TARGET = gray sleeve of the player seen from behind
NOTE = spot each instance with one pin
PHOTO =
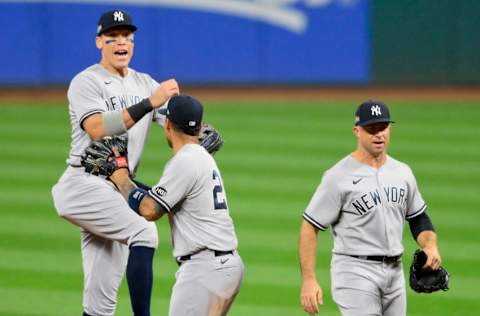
(176, 182)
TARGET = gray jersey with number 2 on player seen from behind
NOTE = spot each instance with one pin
(191, 190)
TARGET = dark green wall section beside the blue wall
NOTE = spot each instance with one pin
(426, 42)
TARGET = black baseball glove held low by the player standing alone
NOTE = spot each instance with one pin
(422, 281)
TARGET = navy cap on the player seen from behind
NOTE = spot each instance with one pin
(185, 112)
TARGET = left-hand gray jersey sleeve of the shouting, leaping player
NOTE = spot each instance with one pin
(85, 97)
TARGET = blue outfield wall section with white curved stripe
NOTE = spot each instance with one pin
(195, 41)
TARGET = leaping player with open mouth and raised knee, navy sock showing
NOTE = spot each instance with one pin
(109, 98)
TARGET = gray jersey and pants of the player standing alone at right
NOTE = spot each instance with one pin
(367, 209)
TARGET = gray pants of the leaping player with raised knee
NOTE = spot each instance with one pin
(108, 227)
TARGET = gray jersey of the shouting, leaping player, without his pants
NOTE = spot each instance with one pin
(95, 90)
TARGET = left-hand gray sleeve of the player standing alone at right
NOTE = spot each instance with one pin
(325, 205)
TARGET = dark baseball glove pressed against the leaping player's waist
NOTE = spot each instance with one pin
(100, 158)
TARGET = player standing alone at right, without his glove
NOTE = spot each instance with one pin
(366, 197)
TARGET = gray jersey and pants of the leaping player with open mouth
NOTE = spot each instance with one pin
(108, 225)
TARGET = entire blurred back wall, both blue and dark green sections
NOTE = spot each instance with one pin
(244, 42)
